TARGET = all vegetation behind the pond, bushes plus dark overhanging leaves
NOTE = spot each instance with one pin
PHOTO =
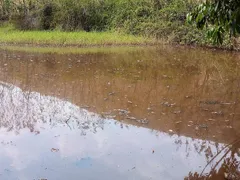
(215, 21)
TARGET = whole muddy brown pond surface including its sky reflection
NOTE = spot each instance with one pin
(152, 113)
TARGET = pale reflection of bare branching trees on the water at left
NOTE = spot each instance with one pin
(21, 110)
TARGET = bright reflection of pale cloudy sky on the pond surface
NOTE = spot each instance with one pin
(89, 147)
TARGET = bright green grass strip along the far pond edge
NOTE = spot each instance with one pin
(59, 38)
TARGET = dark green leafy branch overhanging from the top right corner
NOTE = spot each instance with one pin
(218, 17)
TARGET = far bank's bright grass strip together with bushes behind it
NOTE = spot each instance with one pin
(164, 20)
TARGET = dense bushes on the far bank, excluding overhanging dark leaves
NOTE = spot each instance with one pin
(161, 19)
